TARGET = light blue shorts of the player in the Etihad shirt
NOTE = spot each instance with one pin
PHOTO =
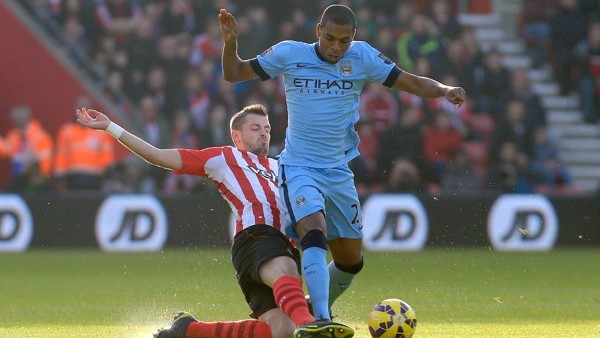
(308, 190)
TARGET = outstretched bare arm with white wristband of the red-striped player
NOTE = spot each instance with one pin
(165, 158)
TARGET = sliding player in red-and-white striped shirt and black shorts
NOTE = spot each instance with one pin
(266, 262)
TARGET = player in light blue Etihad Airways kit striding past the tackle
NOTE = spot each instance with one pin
(323, 82)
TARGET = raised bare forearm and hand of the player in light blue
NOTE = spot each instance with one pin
(234, 68)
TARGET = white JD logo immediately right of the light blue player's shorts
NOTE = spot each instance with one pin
(394, 222)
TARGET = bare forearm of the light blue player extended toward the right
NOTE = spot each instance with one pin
(429, 88)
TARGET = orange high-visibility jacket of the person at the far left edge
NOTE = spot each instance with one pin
(34, 139)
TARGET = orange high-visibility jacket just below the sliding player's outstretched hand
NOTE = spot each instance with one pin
(82, 150)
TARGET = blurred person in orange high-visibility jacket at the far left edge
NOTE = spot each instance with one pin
(27, 145)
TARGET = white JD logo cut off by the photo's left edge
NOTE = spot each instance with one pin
(16, 225)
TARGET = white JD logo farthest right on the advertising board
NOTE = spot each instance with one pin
(522, 223)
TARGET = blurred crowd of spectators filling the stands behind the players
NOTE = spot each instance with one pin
(158, 62)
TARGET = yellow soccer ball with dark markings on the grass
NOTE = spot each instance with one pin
(392, 318)
